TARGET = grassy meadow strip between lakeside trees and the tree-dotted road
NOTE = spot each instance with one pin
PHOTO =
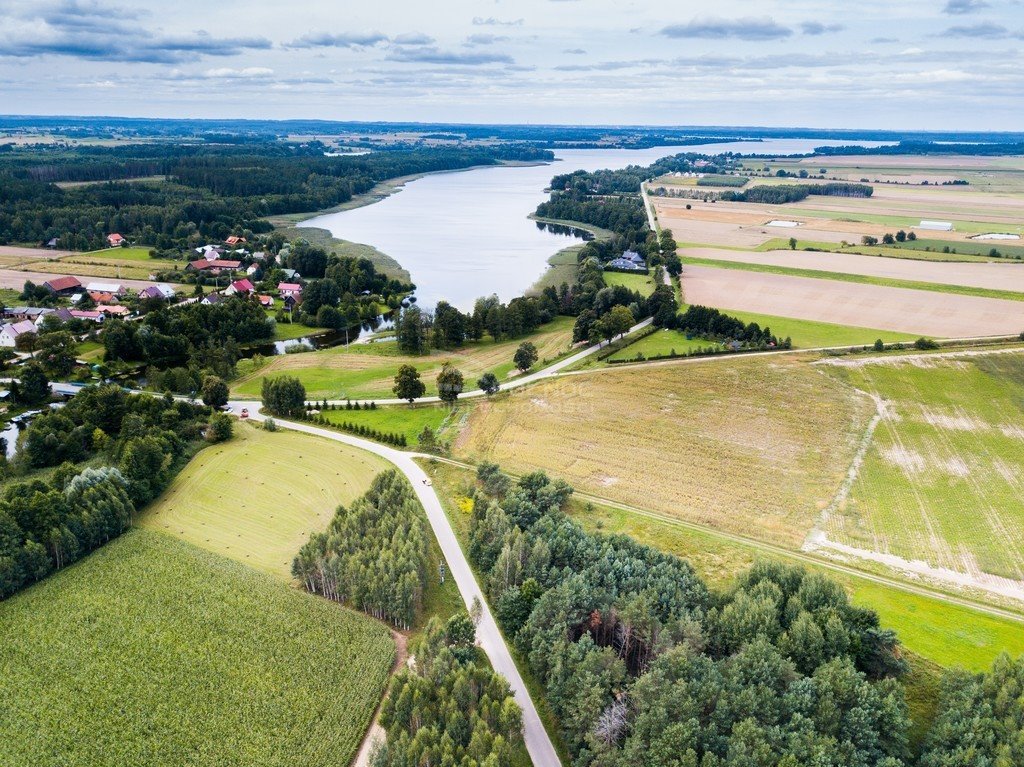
(368, 370)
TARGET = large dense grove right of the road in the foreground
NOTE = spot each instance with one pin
(645, 665)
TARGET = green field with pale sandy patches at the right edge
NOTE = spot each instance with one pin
(944, 481)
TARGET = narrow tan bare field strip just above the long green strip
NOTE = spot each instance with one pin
(1000, 276)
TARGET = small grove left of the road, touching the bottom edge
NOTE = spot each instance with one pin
(451, 709)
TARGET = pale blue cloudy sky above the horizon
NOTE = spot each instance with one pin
(911, 64)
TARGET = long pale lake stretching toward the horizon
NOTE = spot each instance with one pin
(466, 234)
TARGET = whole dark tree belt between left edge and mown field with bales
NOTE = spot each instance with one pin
(141, 443)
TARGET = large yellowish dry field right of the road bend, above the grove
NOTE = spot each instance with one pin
(753, 446)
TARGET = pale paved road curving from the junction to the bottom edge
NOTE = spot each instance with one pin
(542, 751)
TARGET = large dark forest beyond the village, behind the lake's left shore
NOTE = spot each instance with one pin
(211, 191)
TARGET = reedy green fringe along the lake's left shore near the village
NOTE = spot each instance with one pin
(289, 224)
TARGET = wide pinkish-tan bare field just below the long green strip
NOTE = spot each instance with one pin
(924, 313)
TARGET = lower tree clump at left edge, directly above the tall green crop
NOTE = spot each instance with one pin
(47, 526)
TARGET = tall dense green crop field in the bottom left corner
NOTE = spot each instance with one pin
(152, 652)
